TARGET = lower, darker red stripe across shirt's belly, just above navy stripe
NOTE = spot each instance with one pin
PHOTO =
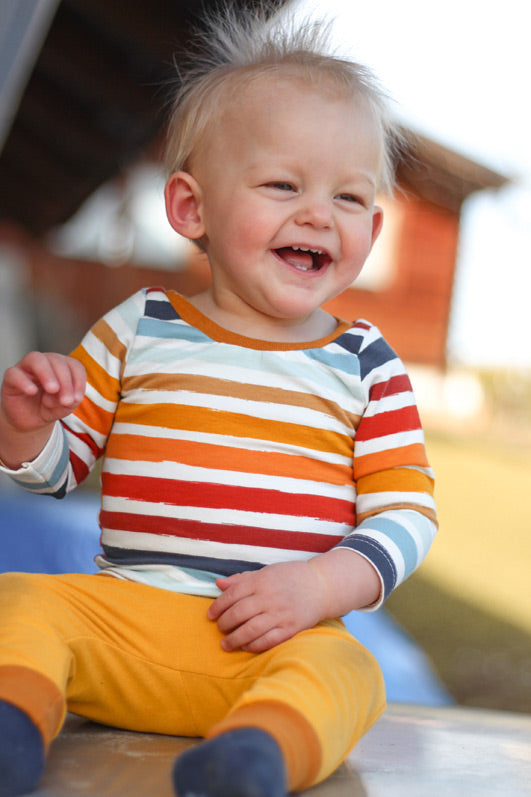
(224, 533)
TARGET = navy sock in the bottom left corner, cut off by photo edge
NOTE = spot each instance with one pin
(21, 752)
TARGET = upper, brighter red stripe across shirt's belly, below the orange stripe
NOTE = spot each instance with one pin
(221, 496)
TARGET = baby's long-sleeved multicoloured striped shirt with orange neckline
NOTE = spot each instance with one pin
(223, 453)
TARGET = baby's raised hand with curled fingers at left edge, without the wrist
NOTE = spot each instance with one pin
(41, 389)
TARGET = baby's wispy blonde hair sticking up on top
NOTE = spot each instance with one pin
(235, 48)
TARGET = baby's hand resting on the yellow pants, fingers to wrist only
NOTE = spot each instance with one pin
(260, 609)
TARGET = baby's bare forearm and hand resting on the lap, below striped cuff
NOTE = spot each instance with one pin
(260, 609)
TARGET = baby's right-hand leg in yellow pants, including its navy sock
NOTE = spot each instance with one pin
(315, 696)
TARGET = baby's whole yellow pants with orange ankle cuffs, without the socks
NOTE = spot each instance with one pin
(146, 659)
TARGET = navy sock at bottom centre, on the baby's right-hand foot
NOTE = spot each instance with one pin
(244, 762)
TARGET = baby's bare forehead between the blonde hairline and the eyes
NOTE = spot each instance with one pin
(279, 122)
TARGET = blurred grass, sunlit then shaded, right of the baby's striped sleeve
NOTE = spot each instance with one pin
(469, 605)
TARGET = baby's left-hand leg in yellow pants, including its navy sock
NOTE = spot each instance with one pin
(114, 651)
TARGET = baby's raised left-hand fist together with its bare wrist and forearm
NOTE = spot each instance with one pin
(35, 393)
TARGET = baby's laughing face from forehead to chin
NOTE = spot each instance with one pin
(288, 179)
